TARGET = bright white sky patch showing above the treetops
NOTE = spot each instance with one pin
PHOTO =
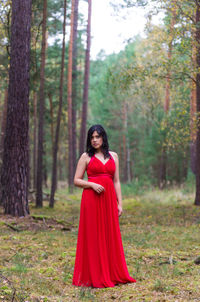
(109, 31)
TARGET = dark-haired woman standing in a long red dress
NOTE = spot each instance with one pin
(100, 260)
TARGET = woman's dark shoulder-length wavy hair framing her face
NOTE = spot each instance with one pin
(105, 146)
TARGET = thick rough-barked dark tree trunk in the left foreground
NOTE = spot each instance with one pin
(15, 166)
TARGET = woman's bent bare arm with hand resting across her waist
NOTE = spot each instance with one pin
(79, 174)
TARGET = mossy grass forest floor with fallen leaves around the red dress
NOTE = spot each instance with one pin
(161, 237)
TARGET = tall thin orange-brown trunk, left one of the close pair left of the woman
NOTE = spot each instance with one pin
(69, 101)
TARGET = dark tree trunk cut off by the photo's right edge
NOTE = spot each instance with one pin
(197, 197)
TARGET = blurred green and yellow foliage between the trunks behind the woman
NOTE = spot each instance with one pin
(127, 90)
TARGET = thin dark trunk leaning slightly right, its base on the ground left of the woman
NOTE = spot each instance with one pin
(55, 145)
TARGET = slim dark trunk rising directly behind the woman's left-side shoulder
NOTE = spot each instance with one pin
(86, 83)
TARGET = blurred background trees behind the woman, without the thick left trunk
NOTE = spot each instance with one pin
(146, 96)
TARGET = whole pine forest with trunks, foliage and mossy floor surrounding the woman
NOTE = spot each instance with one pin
(147, 97)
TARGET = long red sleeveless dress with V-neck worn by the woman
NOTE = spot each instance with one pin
(100, 260)
